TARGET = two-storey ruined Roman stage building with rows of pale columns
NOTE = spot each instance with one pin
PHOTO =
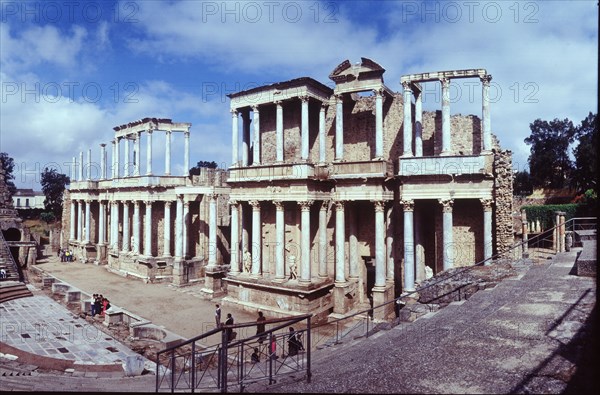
(335, 199)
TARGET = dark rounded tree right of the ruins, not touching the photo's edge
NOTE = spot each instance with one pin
(549, 162)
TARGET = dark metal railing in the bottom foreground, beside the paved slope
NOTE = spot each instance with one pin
(192, 366)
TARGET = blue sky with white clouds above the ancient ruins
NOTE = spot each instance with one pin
(72, 70)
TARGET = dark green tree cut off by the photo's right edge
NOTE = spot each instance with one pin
(586, 157)
